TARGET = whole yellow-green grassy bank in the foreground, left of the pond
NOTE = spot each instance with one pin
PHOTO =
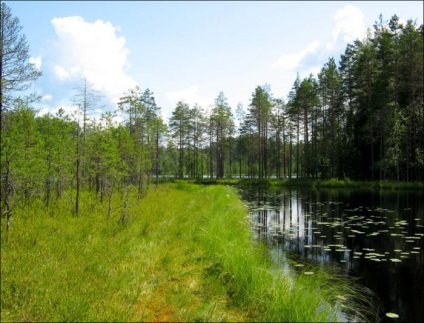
(182, 253)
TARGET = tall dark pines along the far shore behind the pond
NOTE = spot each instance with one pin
(362, 118)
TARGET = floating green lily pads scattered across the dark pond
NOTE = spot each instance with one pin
(345, 235)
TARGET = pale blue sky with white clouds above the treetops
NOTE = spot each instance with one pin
(189, 50)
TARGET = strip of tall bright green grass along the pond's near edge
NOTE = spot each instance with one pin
(260, 287)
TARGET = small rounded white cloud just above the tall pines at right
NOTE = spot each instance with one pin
(350, 25)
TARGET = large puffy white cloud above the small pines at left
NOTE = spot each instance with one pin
(93, 50)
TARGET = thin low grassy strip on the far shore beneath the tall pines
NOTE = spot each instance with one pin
(312, 183)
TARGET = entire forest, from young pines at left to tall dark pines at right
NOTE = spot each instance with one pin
(361, 117)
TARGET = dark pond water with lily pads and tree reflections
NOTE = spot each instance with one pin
(376, 236)
